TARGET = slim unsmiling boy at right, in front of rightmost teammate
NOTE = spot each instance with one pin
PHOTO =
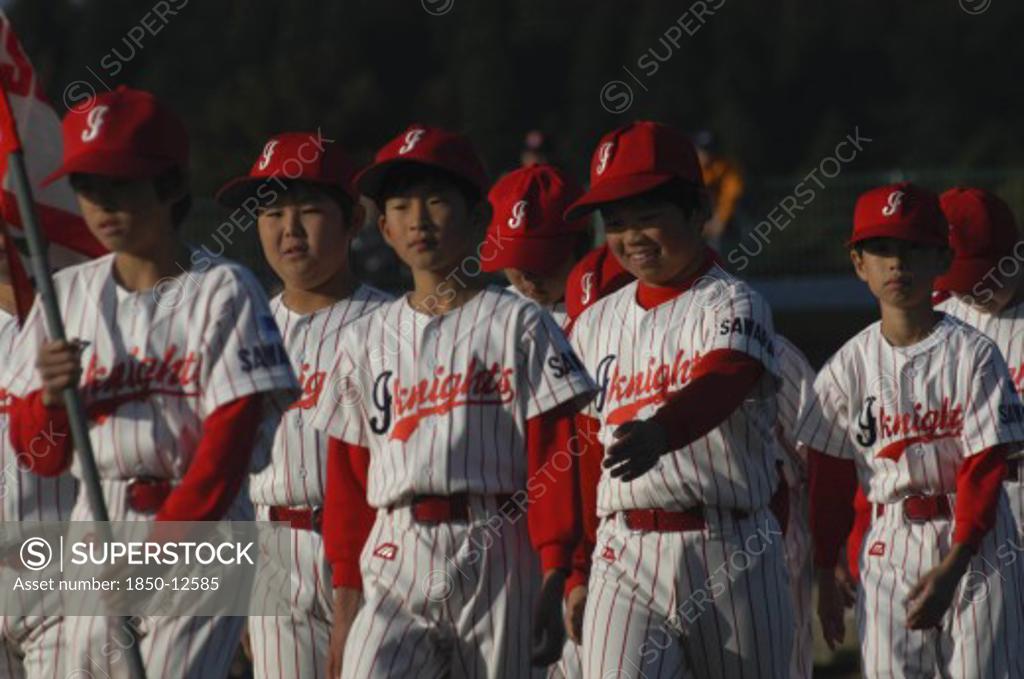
(920, 409)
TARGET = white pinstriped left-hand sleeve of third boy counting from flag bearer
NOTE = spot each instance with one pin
(339, 411)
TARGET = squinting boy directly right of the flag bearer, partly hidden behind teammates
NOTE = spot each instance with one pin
(308, 215)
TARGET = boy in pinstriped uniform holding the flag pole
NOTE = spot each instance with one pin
(174, 442)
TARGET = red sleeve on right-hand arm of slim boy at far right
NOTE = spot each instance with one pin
(978, 483)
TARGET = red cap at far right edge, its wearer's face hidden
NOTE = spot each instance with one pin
(983, 231)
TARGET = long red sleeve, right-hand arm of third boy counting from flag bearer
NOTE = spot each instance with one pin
(553, 493)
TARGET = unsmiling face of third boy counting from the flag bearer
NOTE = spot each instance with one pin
(430, 227)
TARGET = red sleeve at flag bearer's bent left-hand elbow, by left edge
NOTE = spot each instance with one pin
(40, 436)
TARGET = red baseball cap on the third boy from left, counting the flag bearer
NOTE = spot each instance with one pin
(428, 146)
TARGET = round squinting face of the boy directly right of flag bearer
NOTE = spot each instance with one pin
(306, 239)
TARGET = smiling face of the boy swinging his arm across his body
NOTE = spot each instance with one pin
(654, 240)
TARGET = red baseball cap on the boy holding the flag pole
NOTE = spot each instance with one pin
(126, 134)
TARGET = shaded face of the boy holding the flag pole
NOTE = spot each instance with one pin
(125, 216)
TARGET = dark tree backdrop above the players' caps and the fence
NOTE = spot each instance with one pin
(781, 81)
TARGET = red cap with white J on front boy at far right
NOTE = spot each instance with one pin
(903, 211)
